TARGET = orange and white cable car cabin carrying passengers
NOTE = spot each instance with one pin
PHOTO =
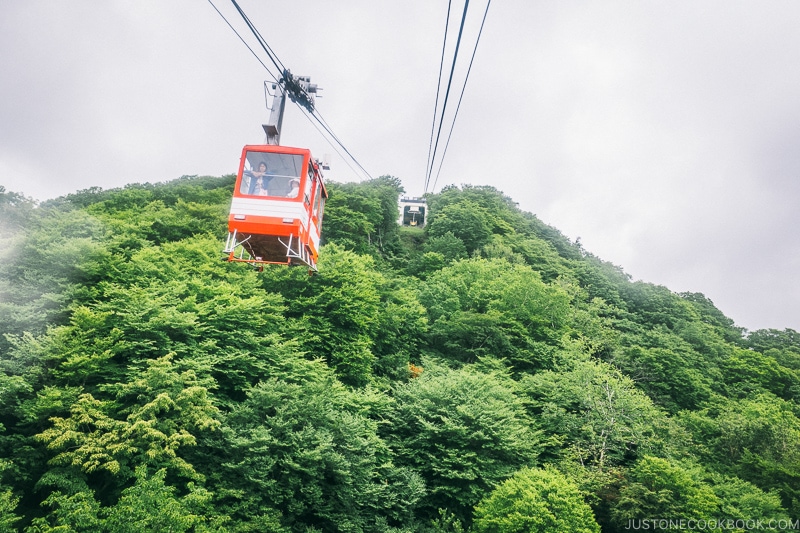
(277, 206)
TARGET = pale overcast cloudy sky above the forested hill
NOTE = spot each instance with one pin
(664, 135)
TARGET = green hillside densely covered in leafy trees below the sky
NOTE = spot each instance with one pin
(484, 374)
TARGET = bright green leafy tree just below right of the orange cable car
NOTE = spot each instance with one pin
(359, 320)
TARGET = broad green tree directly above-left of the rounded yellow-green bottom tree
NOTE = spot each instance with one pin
(463, 431)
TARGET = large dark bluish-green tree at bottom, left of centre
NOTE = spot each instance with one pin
(308, 450)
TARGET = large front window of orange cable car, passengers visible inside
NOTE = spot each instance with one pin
(271, 174)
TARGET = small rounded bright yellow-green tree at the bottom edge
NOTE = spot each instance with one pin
(535, 500)
